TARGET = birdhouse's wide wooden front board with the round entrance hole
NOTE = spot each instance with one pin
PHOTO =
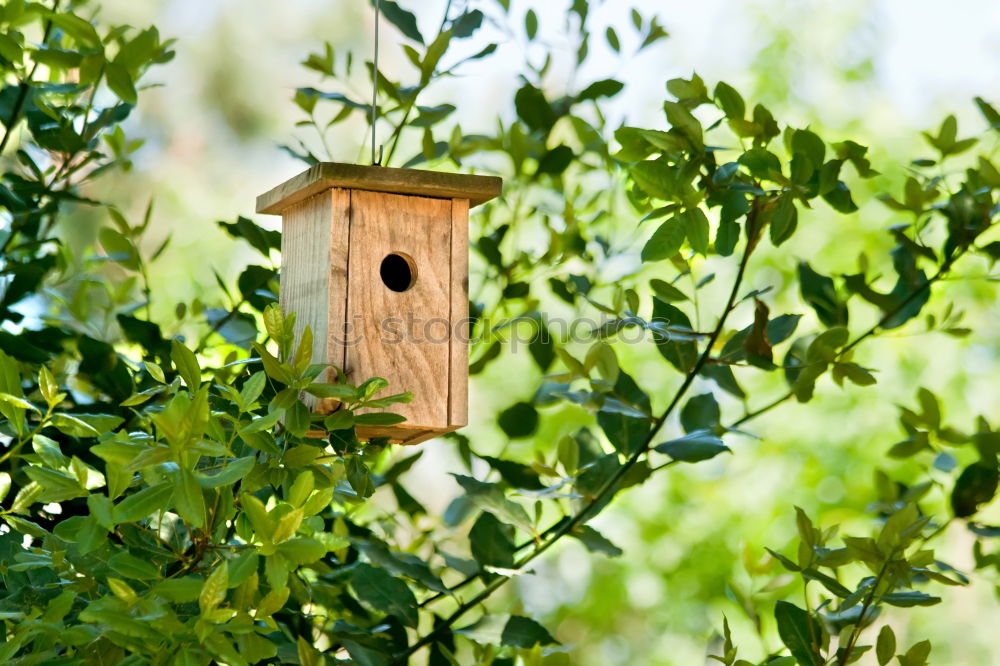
(405, 336)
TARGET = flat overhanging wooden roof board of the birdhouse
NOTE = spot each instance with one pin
(477, 189)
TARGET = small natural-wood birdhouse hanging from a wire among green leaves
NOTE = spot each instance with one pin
(375, 261)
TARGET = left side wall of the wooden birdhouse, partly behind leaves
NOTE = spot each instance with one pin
(314, 254)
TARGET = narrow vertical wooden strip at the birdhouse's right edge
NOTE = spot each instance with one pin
(458, 371)
